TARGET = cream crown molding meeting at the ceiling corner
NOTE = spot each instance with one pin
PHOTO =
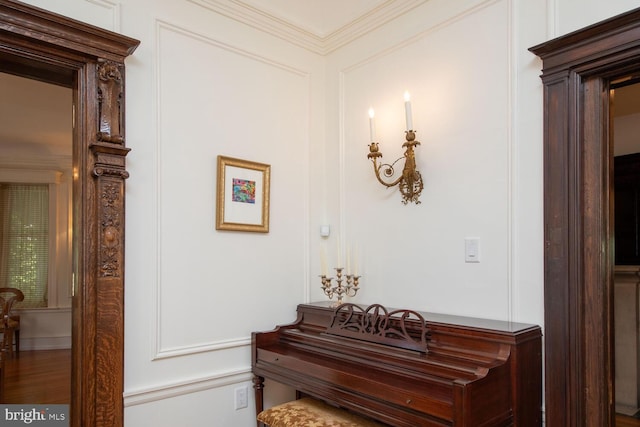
(286, 30)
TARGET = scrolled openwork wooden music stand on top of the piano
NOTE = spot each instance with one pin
(399, 328)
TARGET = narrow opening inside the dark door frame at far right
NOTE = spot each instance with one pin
(625, 128)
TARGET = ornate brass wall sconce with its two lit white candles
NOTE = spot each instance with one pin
(410, 181)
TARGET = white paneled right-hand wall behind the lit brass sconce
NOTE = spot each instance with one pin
(465, 98)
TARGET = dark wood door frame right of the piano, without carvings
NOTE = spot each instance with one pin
(578, 217)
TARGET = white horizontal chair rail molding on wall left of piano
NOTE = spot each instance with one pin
(152, 394)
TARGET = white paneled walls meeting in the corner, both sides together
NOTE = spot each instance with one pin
(201, 84)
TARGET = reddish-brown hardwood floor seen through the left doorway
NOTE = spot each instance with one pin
(38, 377)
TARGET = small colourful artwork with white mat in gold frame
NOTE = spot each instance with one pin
(242, 195)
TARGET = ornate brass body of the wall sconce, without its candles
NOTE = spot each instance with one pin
(410, 181)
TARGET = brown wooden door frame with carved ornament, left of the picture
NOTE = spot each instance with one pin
(37, 44)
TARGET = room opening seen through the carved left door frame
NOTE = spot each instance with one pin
(36, 141)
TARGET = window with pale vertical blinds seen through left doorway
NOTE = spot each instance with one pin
(24, 241)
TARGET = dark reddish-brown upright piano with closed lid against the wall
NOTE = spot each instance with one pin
(406, 368)
